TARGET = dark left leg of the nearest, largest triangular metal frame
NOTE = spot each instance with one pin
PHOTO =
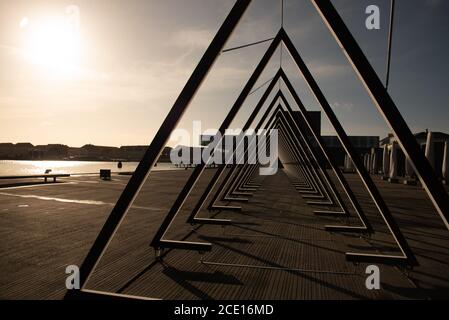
(154, 150)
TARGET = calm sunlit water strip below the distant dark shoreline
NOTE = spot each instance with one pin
(24, 167)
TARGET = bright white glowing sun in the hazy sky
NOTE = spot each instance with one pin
(54, 44)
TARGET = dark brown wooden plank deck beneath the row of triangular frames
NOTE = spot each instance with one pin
(275, 249)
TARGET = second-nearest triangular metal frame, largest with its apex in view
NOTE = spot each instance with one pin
(407, 257)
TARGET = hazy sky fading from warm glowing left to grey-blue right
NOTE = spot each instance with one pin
(111, 77)
